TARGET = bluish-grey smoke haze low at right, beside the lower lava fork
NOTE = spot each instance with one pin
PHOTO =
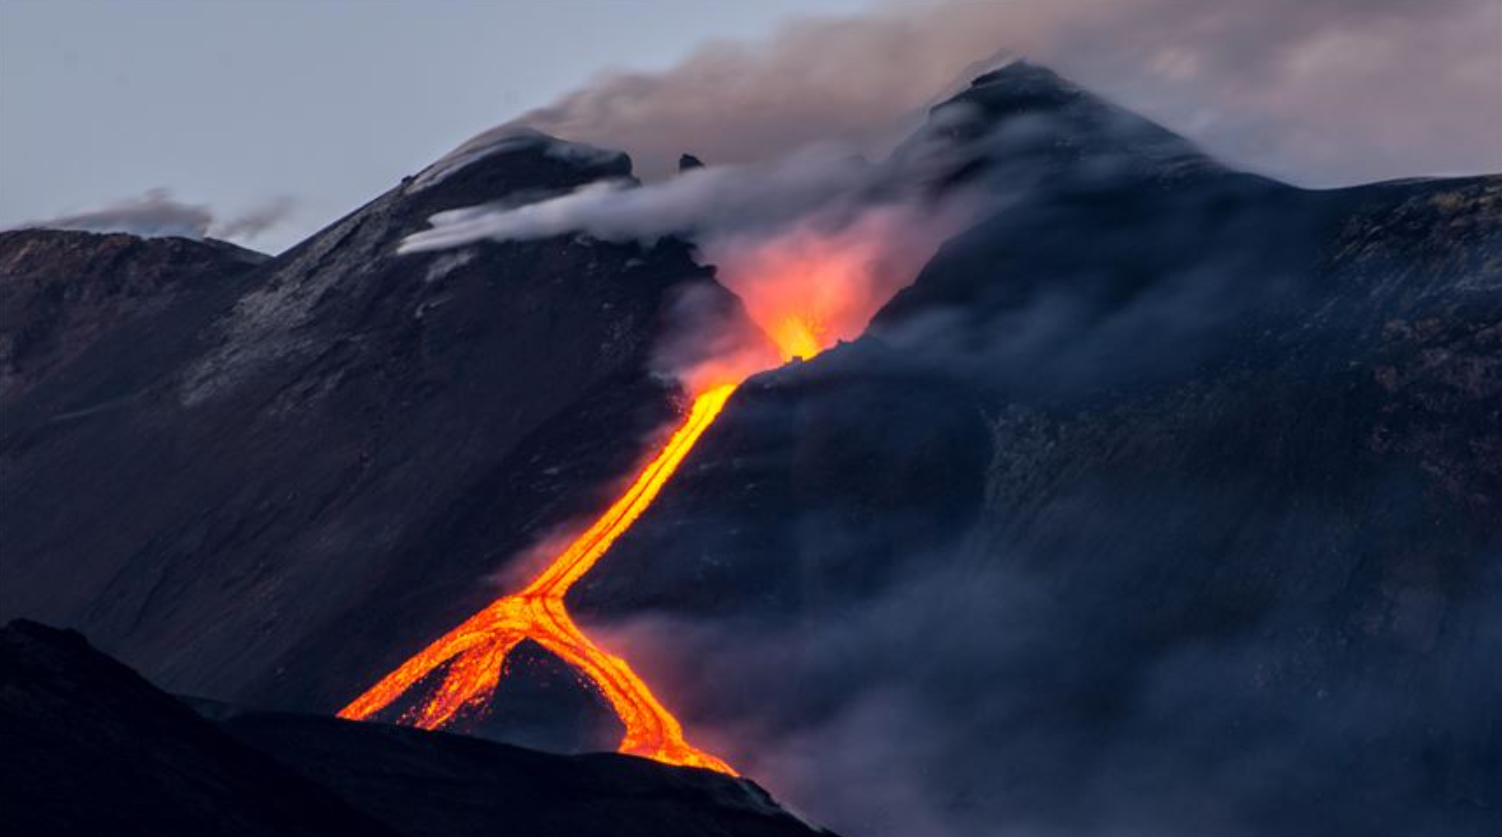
(973, 698)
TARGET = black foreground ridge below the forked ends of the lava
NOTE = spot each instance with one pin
(94, 749)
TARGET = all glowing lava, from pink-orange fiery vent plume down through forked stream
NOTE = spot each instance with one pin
(806, 289)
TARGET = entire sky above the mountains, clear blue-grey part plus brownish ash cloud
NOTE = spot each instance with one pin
(235, 104)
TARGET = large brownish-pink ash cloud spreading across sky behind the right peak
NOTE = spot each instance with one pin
(1318, 91)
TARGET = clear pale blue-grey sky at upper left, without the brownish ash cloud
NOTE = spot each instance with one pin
(237, 103)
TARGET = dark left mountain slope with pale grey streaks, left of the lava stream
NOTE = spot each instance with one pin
(283, 488)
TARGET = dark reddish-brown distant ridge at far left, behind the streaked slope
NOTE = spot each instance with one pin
(61, 292)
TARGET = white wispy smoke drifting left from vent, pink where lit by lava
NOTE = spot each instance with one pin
(812, 243)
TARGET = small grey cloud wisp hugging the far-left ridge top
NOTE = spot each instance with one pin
(158, 214)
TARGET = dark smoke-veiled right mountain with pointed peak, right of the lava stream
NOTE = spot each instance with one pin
(1168, 501)
